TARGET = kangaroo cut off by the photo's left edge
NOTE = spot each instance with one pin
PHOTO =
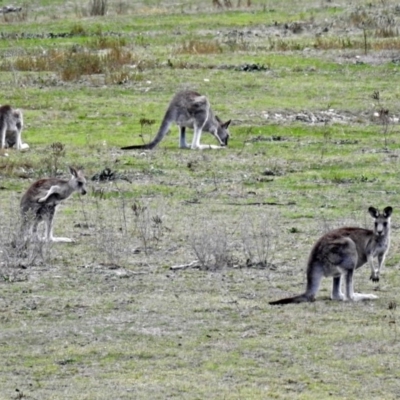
(11, 124)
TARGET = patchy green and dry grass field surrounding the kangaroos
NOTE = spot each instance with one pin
(122, 313)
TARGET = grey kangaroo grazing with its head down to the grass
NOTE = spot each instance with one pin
(190, 110)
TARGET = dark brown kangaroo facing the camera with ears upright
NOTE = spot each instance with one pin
(341, 251)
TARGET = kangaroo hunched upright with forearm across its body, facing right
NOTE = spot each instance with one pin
(40, 201)
